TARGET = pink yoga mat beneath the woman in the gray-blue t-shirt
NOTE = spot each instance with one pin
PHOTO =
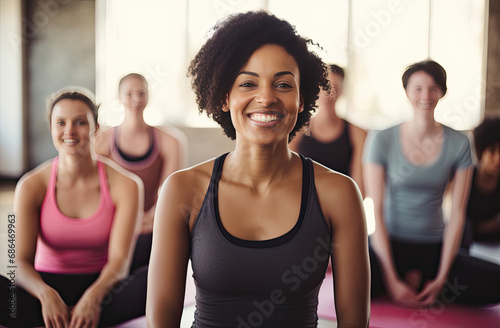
(385, 314)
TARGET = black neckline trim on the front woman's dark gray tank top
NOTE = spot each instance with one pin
(268, 243)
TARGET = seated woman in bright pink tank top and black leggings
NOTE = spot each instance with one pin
(75, 229)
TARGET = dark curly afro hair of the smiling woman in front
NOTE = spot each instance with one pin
(216, 66)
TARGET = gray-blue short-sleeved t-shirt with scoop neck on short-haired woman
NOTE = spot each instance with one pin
(413, 193)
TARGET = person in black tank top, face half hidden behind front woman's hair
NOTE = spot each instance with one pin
(330, 140)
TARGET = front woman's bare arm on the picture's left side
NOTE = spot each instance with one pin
(170, 252)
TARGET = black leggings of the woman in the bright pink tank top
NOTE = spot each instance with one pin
(125, 301)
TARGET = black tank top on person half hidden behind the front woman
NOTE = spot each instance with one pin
(336, 155)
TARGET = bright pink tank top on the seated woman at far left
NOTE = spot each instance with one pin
(74, 245)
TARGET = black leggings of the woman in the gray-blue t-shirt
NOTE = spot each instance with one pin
(471, 280)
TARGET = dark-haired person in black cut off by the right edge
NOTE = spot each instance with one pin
(483, 210)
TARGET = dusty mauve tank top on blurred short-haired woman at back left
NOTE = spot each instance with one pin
(149, 168)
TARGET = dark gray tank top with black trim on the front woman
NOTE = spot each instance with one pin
(270, 283)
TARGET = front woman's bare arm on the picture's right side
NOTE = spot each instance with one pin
(342, 206)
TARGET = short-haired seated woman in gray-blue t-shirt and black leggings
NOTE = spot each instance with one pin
(413, 251)
